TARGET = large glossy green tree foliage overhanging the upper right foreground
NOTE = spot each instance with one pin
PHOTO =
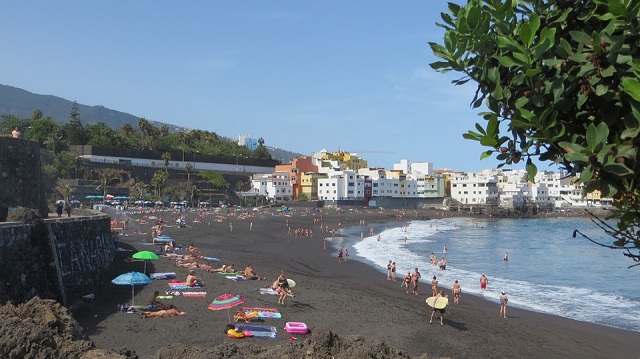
(560, 81)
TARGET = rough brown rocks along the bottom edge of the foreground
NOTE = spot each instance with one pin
(43, 329)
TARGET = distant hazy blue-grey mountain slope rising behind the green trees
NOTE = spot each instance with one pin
(22, 103)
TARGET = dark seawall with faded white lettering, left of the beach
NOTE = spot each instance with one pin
(57, 258)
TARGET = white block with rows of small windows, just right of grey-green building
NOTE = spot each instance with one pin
(475, 188)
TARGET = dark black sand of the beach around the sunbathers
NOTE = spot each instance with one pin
(348, 298)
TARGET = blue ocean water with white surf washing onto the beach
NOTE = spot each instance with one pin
(548, 270)
